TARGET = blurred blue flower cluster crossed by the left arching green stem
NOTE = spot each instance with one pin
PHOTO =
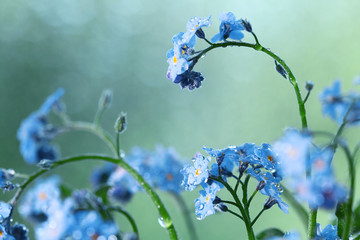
(160, 168)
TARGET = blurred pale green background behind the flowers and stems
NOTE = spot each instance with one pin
(88, 45)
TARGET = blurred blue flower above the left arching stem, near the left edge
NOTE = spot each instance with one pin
(35, 133)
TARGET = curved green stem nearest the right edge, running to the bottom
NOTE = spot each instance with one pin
(349, 215)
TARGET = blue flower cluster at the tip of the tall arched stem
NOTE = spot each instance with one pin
(182, 57)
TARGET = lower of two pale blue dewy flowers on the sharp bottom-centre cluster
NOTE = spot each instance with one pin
(204, 204)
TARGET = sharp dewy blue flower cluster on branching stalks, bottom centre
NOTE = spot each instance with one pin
(259, 162)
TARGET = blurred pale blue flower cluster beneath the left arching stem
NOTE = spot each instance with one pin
(74, 217)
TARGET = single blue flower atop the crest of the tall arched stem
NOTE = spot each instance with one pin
(229, 28)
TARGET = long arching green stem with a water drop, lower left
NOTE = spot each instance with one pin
(164, 215)
